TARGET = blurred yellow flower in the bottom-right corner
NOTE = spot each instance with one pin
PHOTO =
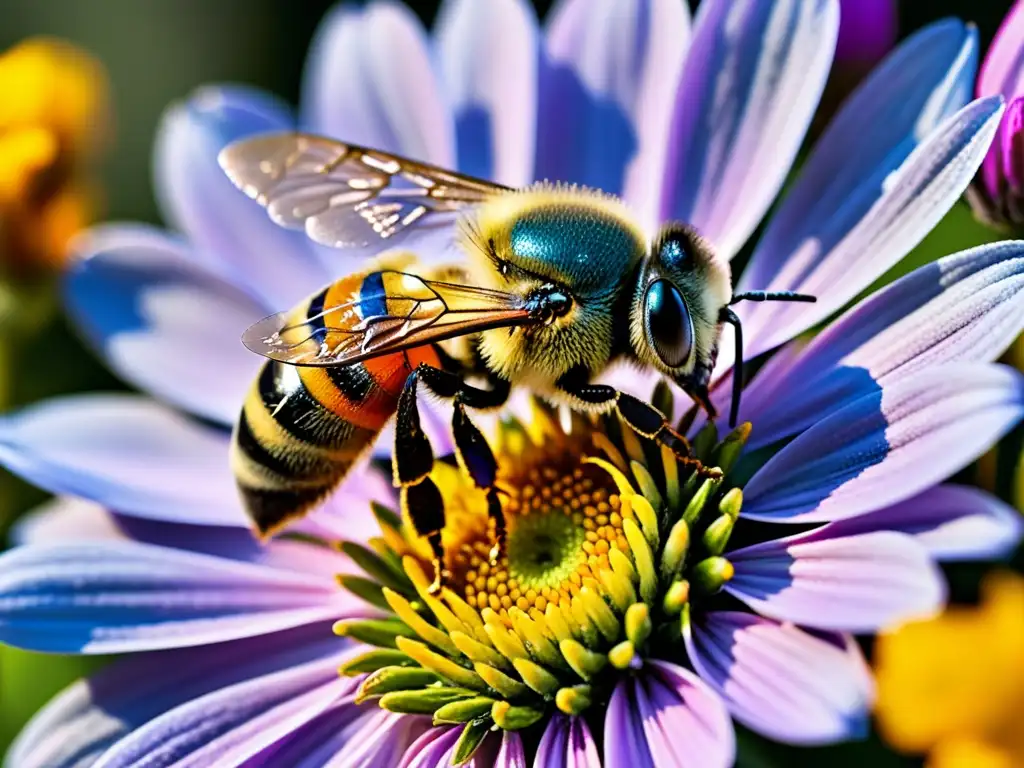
(954, 687)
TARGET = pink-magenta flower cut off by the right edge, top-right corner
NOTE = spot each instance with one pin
(997, 194)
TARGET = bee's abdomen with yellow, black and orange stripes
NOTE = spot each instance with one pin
(303, 429)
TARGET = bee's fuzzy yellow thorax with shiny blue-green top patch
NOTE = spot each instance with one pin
(571, 237)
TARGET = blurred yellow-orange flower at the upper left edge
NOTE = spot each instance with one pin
(54, 118)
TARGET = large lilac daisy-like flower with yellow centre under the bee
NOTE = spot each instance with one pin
(714, 609)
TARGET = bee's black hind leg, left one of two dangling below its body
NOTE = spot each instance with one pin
(421, 501)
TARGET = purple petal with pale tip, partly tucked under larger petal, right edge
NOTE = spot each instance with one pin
(953, 523)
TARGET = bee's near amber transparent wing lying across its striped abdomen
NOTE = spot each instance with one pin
(409, 313)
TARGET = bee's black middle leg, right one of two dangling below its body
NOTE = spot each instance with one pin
(474, 453)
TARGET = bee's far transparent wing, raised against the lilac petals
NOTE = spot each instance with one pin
(348, 196)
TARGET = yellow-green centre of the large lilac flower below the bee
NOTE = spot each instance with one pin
(611, 540)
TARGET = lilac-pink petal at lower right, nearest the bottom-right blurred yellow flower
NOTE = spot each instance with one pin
(782, 681)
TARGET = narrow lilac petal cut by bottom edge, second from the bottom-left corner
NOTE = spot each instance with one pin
(227, 727)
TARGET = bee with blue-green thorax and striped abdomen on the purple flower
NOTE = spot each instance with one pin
(552, 285)
